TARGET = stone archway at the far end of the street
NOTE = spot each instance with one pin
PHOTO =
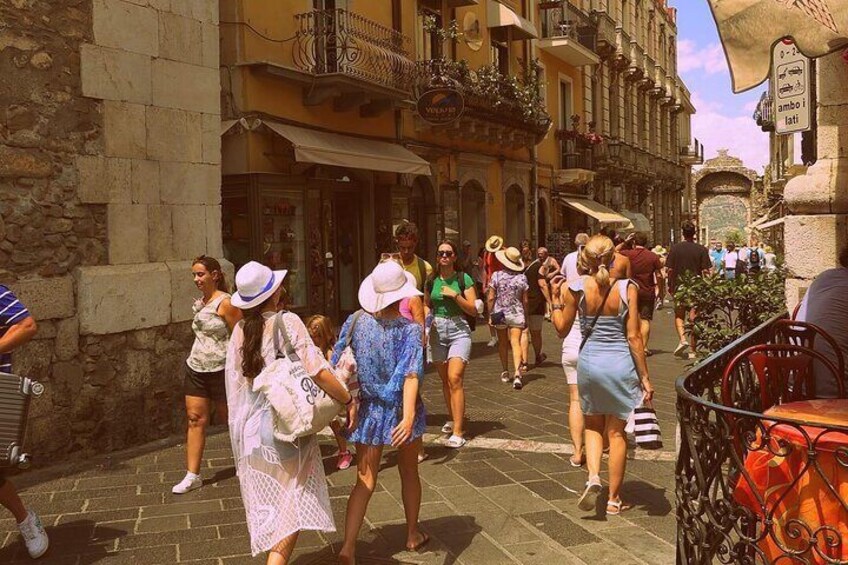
(723, 190)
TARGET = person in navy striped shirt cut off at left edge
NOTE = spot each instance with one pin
(17, 328)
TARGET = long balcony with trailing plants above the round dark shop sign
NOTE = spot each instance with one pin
(497, 106)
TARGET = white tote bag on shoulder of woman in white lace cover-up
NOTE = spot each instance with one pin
(301, 407)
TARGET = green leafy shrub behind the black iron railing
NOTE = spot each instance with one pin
(728, 309)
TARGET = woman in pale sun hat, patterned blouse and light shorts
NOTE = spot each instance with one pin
(507, 298)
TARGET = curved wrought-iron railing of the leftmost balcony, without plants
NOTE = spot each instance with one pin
(342, 43)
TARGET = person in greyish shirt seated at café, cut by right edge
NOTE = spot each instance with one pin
(826, 306)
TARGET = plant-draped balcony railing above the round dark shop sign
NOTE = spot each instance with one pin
(489, 96)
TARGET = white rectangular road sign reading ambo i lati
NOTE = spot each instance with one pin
(790, 83)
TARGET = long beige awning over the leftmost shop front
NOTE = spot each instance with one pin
(339, 150)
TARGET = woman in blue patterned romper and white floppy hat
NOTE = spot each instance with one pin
(389, 357)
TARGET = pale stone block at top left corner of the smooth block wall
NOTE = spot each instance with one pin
(126, 26)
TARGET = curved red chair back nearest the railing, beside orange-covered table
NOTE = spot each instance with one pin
(773, 374)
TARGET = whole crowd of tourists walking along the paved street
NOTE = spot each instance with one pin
(600, 299)
